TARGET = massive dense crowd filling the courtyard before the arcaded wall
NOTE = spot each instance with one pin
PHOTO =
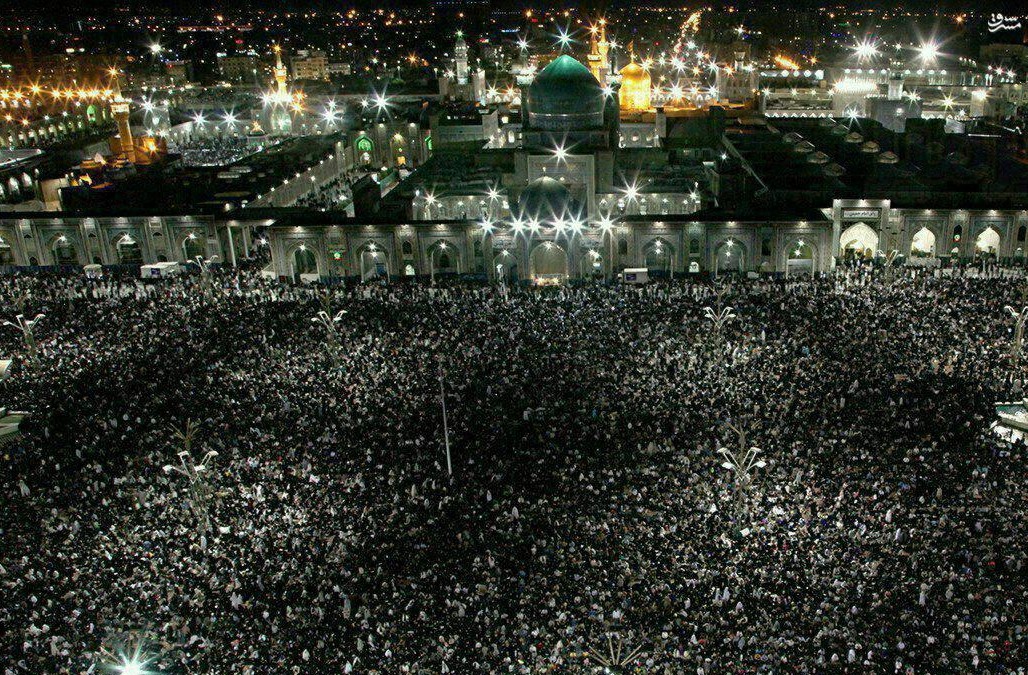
(589, 508)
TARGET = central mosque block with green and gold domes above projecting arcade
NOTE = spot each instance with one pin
(564, 191)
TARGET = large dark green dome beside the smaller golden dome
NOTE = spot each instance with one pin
(566, 96)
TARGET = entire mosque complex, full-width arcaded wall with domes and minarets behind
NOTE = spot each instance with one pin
(584, 171)
